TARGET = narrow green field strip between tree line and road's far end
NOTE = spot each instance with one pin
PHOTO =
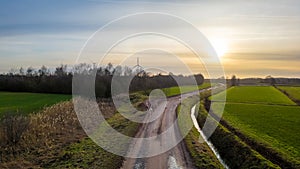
(172, 91)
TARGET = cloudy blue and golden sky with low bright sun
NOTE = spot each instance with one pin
(252, 38)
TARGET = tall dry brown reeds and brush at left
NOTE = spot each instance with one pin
(46, 133)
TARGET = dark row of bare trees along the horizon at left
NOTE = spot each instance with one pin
(59, 80)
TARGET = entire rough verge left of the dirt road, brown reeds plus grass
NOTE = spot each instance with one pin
(53, 138)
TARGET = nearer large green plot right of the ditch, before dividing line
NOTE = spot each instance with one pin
(275, 126)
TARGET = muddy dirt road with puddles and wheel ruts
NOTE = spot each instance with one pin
(175, 158)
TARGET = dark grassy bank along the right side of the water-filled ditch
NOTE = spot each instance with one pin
(234, 152)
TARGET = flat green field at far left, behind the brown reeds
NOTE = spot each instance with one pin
(28, 102)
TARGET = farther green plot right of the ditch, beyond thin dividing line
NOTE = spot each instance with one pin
(255, 94)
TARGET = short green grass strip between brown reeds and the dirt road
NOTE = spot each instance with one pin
(87, 154)
